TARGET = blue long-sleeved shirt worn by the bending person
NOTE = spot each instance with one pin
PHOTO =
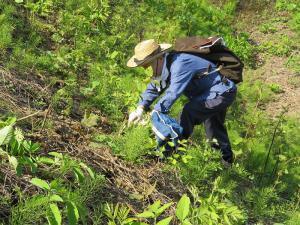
(180, 80)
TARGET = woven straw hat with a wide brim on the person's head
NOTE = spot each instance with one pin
(146, 51)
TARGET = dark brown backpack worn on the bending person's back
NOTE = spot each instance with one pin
(214, 50)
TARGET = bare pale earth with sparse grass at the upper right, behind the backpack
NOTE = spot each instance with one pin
(276, 37)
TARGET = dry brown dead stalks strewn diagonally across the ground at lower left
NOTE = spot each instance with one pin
(126, 182)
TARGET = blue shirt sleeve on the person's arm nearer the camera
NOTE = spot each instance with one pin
(180, 77)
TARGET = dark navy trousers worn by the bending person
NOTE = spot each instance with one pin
(212, 113)
